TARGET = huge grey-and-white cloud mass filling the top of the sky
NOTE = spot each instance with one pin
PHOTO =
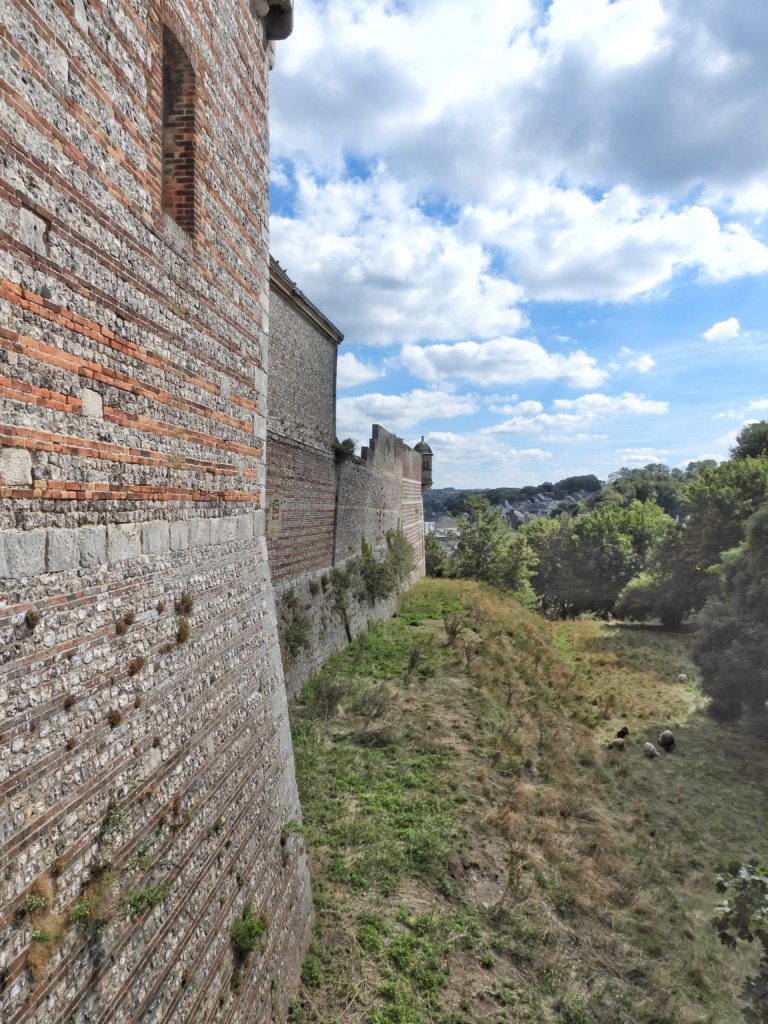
(572, 93)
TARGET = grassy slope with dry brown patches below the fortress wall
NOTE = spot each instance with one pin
(477, 854)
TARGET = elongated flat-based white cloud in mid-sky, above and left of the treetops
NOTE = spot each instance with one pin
(502, 361)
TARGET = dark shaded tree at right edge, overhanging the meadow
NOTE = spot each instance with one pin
(733, 642)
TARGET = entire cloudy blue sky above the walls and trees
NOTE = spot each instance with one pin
(541, 227)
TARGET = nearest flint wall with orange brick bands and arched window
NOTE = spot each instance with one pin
(146, 771)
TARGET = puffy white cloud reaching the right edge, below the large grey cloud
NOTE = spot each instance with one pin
(564, 245)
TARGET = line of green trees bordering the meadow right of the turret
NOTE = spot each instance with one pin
(657, 544)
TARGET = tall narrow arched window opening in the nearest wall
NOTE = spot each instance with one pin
(179, 134)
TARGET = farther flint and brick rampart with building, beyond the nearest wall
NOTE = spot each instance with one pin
(320, 511)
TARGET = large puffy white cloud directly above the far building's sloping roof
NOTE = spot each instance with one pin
(385, 271)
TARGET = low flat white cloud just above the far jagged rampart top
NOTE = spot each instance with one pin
(400, 413)
